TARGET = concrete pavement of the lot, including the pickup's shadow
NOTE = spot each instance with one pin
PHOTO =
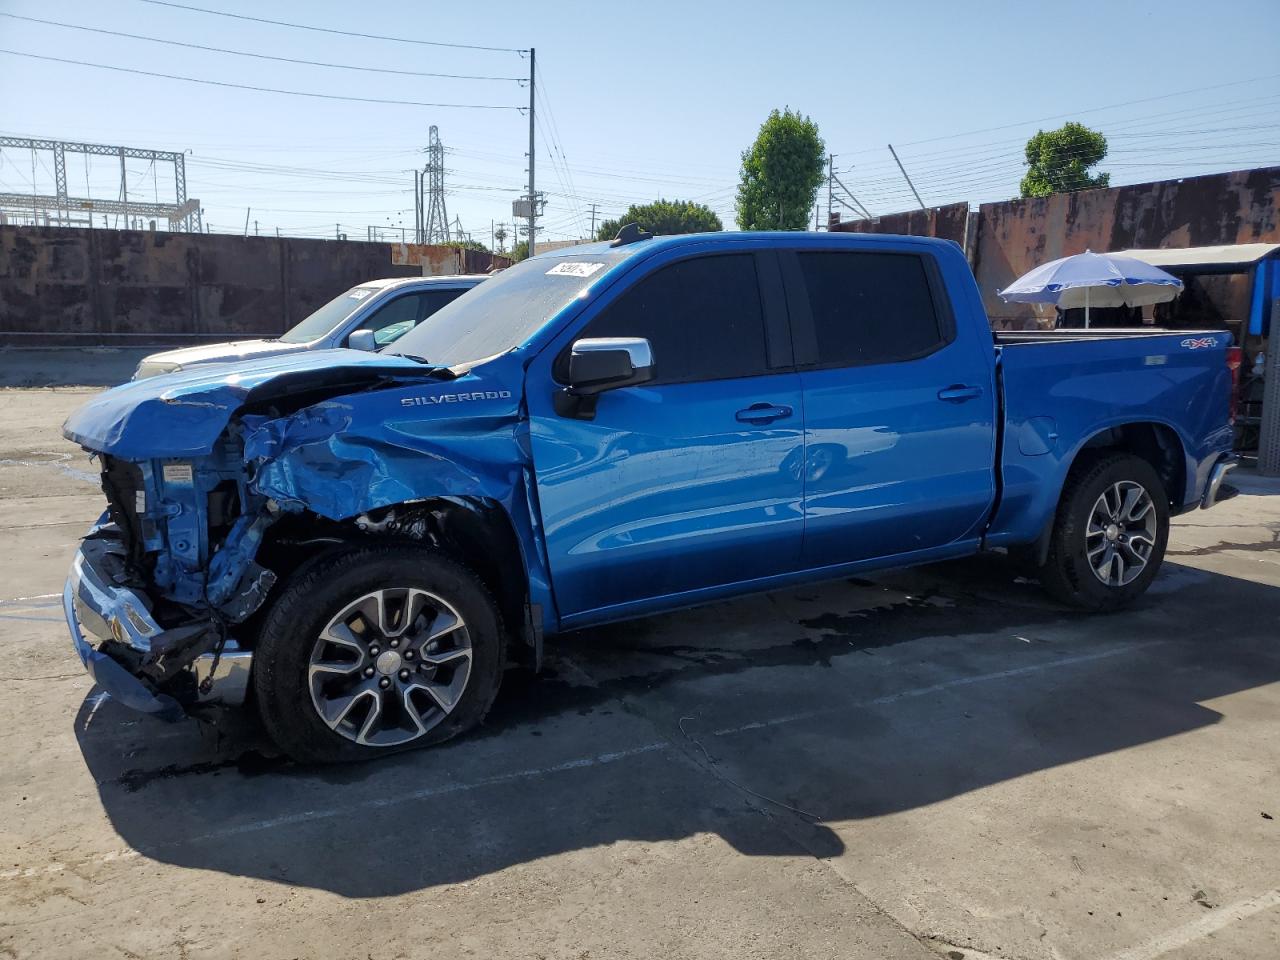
(936, 762)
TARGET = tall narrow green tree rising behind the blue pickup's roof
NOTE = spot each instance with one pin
(781, 173)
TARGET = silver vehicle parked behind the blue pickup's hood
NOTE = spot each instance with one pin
(368, 317)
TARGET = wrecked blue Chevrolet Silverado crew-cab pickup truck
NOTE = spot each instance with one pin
(365, 541)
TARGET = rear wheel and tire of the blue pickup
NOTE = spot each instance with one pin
(1077, 548)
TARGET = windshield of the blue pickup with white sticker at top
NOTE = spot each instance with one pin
(505, 310)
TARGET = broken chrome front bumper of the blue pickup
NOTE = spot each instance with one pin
(147, 668)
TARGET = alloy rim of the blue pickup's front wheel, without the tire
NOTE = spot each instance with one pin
(390, 666)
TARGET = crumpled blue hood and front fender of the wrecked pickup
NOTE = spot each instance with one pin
(394, 431)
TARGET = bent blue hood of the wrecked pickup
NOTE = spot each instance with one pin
(184, 414)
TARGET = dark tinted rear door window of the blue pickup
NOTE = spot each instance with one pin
(870, 308)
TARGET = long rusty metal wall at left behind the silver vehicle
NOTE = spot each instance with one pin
(62, 286)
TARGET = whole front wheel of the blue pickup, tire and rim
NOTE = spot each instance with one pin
(350, 696)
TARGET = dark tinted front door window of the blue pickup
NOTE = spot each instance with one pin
(702, 318)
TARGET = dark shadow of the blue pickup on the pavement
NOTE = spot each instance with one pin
(902, 692)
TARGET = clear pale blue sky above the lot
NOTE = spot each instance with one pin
(648, 99)
